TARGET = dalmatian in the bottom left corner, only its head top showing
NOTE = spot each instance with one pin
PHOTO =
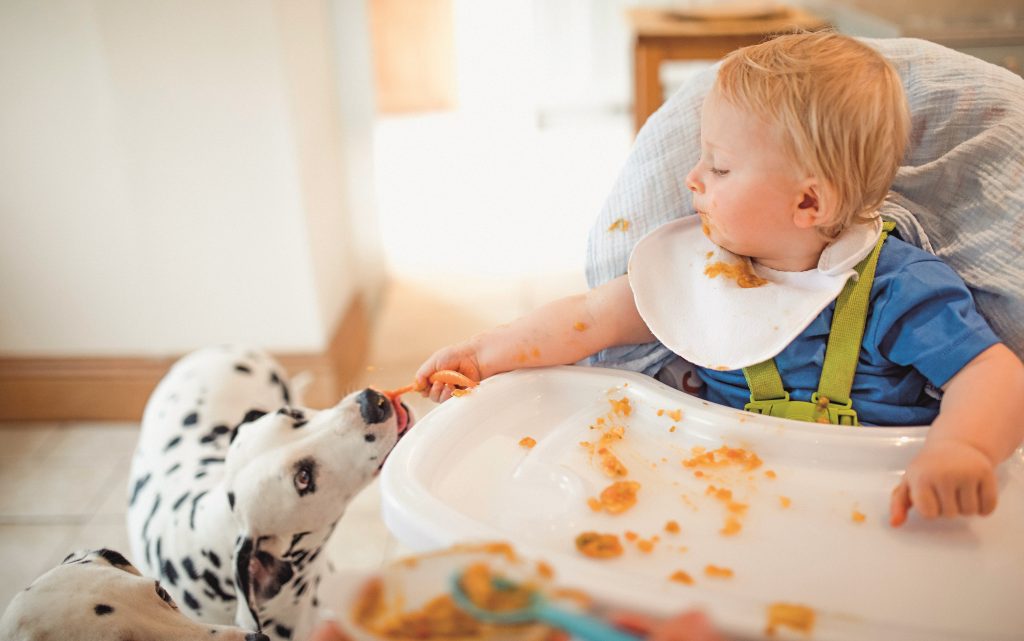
(98, 595)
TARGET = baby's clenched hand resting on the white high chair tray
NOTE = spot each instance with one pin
(948, 479)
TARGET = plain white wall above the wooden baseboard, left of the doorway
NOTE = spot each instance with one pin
(174, 175)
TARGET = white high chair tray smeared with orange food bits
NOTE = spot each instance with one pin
(461, 475)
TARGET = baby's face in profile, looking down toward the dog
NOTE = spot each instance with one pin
(745, 188)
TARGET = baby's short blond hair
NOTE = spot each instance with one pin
(839, 110)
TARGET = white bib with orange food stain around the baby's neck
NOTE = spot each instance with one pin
(713, 322)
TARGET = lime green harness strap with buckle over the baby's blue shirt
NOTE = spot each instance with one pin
(832, 404)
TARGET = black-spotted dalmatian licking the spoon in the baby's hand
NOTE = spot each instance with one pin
(234, 491)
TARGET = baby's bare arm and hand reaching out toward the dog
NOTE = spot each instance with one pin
(560, 333)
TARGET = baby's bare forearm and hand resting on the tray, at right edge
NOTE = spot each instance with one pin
(980, 423)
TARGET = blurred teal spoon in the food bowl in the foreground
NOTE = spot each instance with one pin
(539, 610)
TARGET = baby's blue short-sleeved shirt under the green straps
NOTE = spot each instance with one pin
(922, 328)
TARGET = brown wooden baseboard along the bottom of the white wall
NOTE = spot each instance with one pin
(117, 389)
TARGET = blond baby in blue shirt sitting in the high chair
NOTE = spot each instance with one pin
(801, 140)
